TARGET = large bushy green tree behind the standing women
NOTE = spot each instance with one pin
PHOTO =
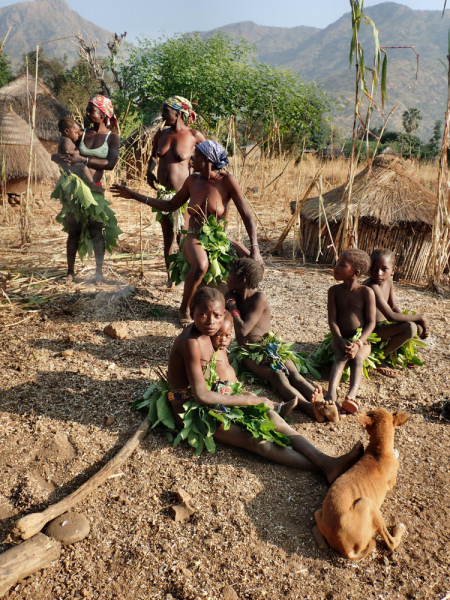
(221, 81)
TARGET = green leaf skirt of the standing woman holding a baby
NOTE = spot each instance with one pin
(85, 204)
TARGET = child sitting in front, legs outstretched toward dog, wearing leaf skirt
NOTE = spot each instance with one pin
(187, 402)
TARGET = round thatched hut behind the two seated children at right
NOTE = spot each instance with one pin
(396, 212)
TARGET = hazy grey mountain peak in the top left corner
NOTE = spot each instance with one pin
(36, 22)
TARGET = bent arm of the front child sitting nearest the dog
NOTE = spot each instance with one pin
(192, 360)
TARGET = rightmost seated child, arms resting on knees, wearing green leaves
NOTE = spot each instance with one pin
(397, 330)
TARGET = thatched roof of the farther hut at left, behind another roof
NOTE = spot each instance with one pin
(48, 110)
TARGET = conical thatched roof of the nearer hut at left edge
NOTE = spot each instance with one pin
(15, 150)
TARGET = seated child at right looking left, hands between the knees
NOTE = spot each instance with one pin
(350, 306)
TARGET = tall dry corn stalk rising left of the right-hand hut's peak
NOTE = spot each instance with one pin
(347, 236)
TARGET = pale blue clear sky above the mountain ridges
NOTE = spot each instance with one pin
(151, 18)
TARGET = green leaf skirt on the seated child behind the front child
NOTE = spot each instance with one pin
(271, 351)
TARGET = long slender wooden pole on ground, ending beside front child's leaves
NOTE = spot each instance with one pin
(31, 524)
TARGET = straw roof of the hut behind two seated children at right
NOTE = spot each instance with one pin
(388, 195)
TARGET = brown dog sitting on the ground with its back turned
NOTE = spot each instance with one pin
(350, 515)
